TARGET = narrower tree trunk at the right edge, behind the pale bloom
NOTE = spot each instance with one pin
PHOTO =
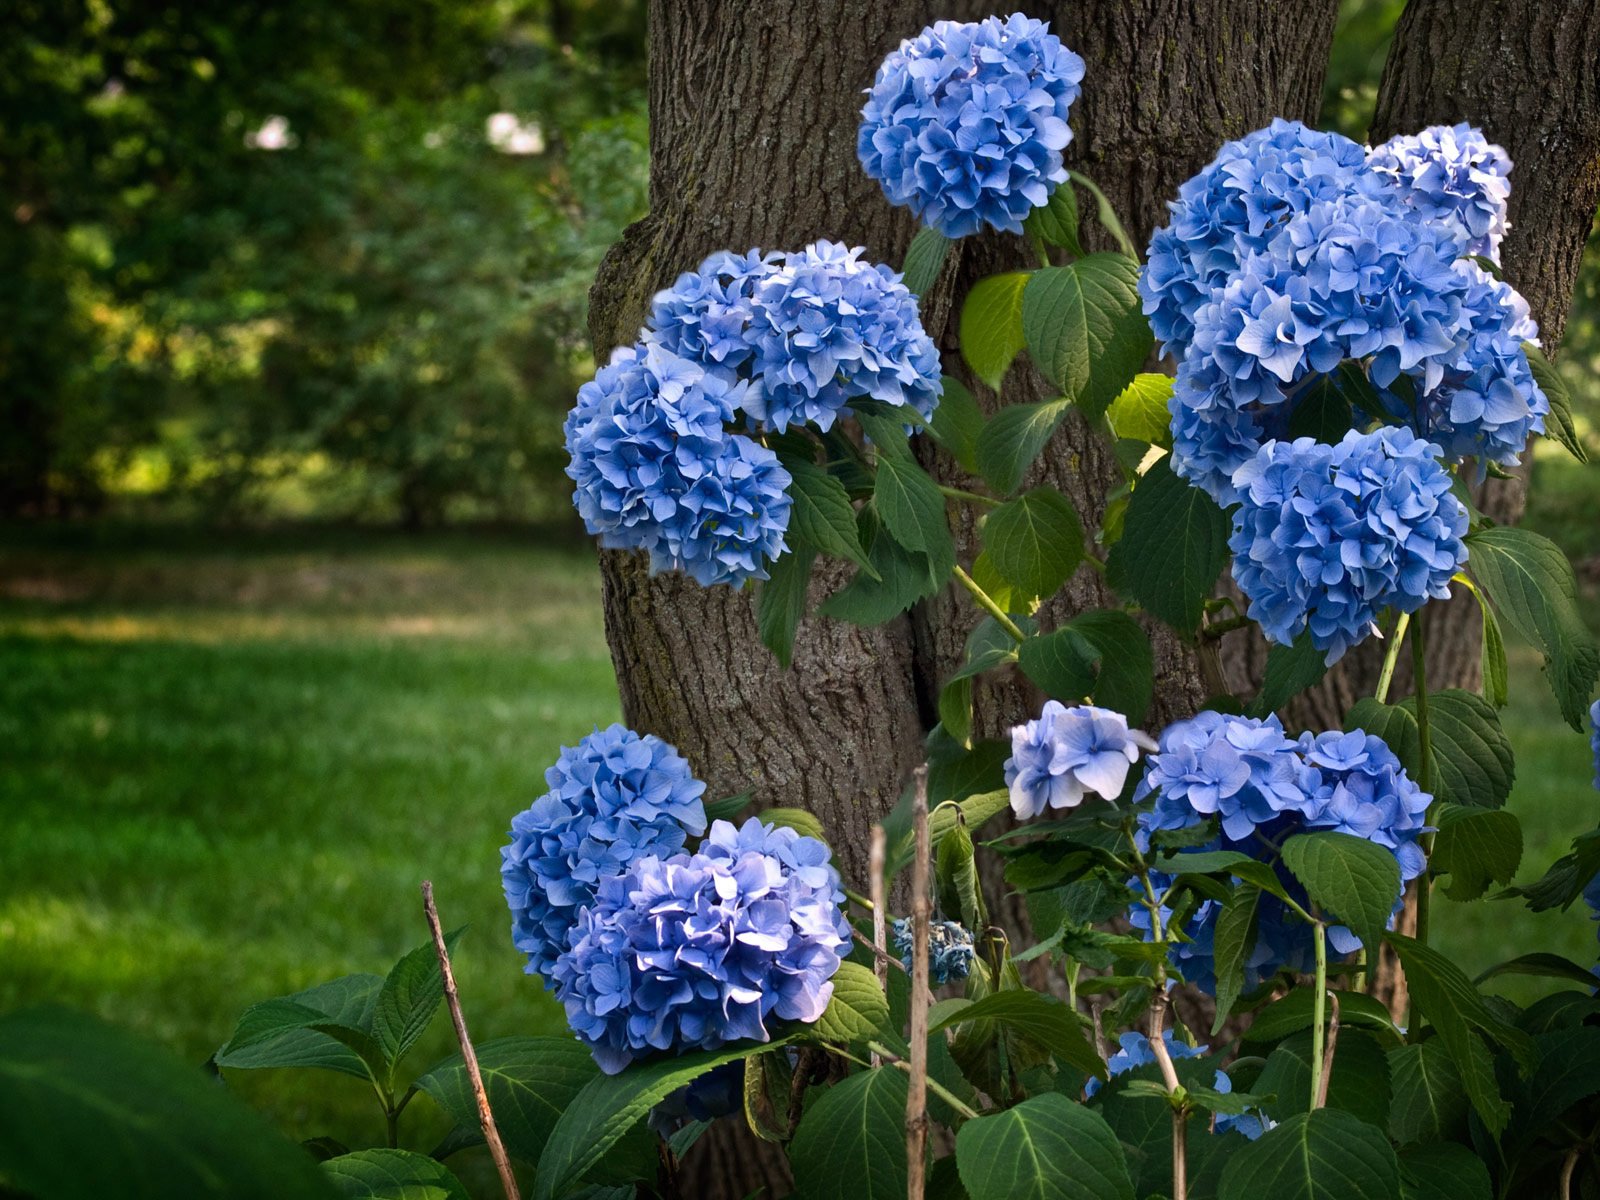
(1529, 74)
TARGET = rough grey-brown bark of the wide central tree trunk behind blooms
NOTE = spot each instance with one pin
(754, 110)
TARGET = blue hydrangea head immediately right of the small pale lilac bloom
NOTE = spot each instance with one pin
(1241, 769)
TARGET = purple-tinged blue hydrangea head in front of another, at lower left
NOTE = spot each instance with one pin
(697, 951)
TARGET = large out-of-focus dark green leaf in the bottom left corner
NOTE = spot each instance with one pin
(92, 1111)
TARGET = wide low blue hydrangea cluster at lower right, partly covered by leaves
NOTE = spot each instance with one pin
(1348, 783)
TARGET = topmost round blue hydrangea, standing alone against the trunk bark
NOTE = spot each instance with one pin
(967, 122)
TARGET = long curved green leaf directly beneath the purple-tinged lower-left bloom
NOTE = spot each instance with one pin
(610, 1106)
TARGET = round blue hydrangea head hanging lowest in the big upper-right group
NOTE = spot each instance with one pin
(1326, 538)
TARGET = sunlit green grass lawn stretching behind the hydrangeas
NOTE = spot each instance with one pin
(228, 764)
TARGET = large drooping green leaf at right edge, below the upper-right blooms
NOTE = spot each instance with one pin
(1530, 583)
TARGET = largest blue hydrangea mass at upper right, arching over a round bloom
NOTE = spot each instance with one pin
(1292, 255)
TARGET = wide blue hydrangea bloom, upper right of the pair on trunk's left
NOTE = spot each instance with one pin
(809, 332)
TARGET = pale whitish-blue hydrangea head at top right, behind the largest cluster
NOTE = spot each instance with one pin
(1455, 177)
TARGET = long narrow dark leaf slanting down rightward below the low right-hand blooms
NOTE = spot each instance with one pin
(1449, 999)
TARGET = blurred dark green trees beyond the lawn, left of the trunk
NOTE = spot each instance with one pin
(306, 260)
